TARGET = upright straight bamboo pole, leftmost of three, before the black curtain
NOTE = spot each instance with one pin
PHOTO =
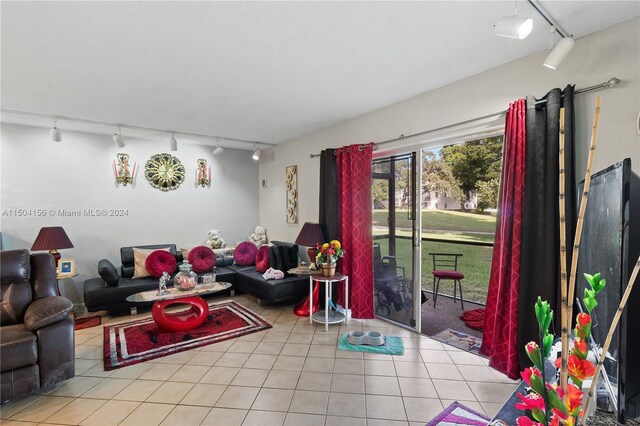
(563, 262)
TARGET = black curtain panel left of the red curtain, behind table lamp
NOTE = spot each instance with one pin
(329, 217)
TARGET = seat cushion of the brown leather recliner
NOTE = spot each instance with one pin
(18, 347)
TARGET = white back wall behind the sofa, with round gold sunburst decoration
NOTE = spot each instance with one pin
(77, 174)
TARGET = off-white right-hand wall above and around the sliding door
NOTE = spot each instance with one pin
(594, 59)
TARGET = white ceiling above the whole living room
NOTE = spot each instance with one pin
(268, 71)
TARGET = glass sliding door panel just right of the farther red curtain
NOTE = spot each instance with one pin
(395, 238)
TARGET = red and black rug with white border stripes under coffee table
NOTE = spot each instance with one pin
(138, 341)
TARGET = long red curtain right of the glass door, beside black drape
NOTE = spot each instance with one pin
(500, 340)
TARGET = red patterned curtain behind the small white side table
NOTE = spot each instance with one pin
(354, 181)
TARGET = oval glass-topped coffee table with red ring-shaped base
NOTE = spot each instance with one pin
(184, 320)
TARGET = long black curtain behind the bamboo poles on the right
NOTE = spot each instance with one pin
(540, 254)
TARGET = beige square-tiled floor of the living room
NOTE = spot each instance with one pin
(292, 374)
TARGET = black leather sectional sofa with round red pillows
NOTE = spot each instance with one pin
(109, 292)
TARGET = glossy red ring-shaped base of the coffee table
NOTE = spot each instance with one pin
(185, 320)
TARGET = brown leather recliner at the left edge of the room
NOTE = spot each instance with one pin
(36, 327)
